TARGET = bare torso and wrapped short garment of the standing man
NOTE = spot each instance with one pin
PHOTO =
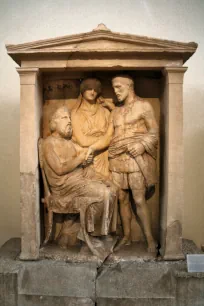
(130, 128)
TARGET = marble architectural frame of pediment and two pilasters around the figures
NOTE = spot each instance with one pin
(104, 50)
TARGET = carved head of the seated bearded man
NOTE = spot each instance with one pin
(60, 122)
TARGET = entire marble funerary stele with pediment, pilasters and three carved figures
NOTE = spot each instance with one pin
(101, 146)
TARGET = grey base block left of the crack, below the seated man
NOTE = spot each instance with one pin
(48, 278)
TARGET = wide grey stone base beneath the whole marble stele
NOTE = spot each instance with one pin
(50, 282)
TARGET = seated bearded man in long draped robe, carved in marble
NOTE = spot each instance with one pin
(65, 168)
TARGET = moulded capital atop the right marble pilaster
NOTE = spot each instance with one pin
(174, 75)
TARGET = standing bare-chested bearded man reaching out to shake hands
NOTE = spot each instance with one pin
(133, 138)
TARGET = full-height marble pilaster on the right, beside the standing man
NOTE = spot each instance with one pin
(172, 175)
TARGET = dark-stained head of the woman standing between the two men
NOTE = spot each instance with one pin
(90, 89)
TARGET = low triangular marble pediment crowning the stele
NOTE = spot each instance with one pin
(101, 40)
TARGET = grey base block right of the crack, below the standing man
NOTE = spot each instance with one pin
(137, 281)
